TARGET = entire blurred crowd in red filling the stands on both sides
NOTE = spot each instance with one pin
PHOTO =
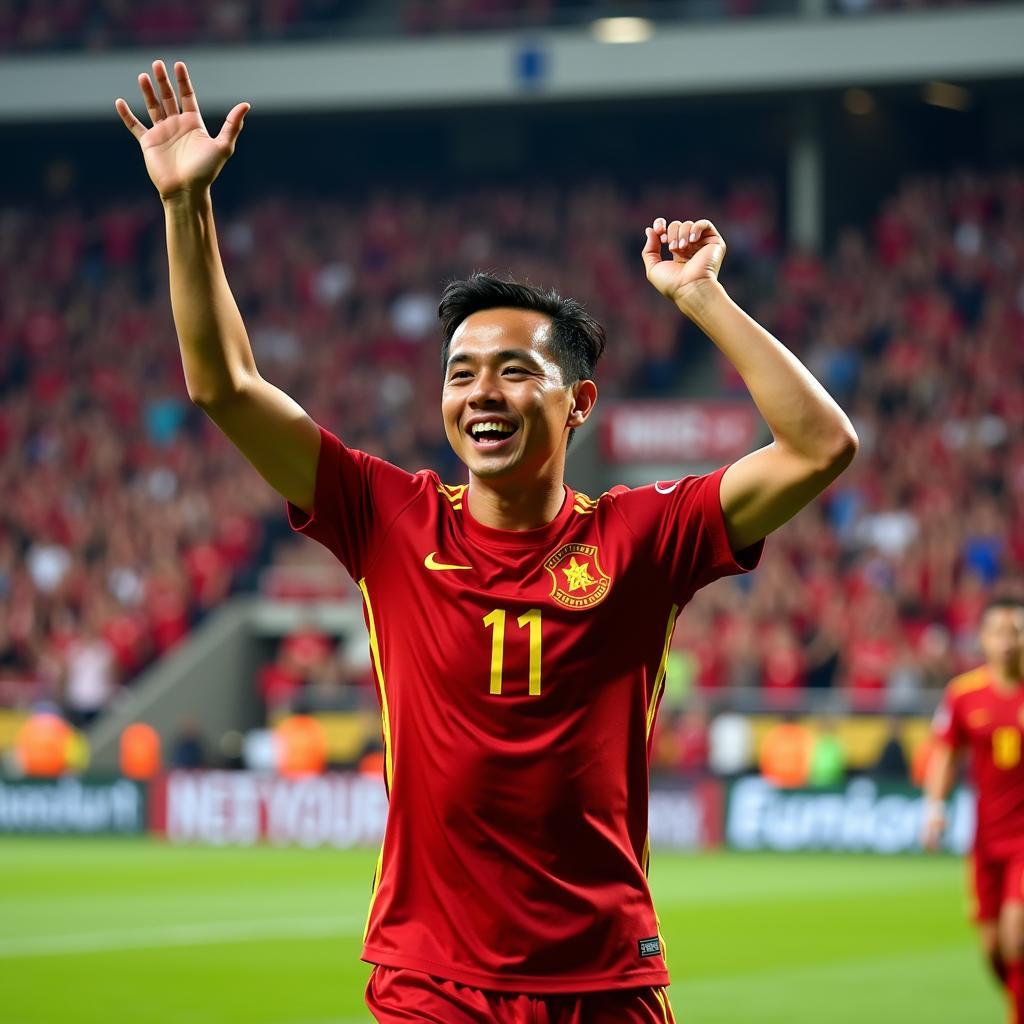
(129, 517)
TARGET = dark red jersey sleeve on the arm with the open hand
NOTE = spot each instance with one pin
(358, 499)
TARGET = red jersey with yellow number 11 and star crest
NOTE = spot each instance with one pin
(520, 674)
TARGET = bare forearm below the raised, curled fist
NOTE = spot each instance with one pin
(801, 415)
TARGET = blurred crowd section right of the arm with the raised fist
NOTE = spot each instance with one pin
(917, 326)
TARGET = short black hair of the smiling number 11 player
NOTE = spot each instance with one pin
(577, 339)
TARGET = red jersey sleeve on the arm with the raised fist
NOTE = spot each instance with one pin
(681, 525)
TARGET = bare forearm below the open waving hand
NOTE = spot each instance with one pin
(216, 351)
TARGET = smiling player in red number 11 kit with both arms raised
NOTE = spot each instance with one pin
(519, 629)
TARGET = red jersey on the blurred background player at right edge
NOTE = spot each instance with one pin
(989, 722)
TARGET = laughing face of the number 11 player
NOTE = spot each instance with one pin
(501, 371)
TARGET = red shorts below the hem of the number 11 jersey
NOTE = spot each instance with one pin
(396, 996)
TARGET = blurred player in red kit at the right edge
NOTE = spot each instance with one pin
(983, 713)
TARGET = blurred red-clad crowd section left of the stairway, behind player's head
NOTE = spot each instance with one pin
(130, 515)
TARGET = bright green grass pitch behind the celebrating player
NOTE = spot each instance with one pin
(107, 932)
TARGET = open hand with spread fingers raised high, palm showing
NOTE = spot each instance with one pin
(181, 154)
